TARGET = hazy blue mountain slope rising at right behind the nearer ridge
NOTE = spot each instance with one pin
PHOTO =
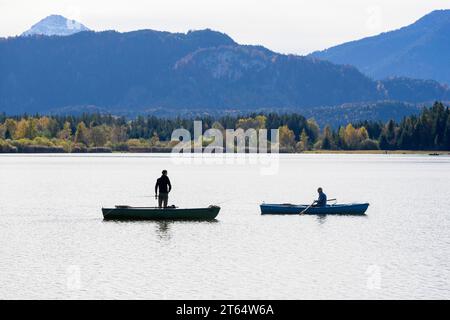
(420, 50)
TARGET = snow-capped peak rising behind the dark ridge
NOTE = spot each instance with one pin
(55, 25)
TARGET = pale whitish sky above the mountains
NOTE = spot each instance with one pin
(285, 26)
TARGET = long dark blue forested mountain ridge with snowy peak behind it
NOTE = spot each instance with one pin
(143, 71)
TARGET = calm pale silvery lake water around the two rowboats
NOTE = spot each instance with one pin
(55, 244)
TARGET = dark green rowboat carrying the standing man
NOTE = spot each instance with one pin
(145, 213)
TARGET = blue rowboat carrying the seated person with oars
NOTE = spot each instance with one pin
(287, 208)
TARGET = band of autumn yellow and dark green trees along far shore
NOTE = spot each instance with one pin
(430, 130)
